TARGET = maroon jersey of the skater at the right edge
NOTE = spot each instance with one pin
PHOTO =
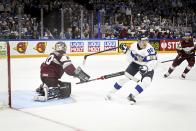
(186, 48)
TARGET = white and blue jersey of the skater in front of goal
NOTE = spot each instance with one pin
(146, 56)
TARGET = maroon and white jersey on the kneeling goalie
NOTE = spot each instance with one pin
(55, 65)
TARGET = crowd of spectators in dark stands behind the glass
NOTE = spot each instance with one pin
(122, 19)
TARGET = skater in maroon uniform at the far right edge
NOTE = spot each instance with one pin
(186, 51)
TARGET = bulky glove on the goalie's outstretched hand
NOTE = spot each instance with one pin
(81, 75)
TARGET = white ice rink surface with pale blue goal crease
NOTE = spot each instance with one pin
(167, 105)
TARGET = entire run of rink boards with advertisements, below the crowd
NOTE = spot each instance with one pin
(40, 48)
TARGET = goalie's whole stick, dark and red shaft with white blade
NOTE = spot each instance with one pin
(111, 76)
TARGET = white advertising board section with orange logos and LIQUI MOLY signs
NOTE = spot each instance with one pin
(74, 47)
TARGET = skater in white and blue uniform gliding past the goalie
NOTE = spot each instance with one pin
(143, 59)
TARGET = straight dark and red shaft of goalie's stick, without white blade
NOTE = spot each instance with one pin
(105, 77)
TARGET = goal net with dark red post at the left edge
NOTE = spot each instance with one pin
(5, 76)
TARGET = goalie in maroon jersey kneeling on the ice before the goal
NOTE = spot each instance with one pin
(52, 70)
